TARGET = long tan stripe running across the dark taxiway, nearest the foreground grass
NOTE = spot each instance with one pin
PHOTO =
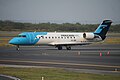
(74, 64)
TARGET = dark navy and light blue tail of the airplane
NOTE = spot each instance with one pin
(103, 29)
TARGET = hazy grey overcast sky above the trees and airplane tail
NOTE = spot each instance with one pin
(60, 11)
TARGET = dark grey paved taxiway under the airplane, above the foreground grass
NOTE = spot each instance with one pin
(80, 57)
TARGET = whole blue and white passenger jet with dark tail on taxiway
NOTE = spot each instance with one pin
(60, 39)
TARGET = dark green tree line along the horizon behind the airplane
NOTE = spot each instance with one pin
(51, 27)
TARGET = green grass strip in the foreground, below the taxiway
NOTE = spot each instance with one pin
(53, 74)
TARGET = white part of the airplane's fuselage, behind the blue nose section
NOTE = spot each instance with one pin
(62, 38)
